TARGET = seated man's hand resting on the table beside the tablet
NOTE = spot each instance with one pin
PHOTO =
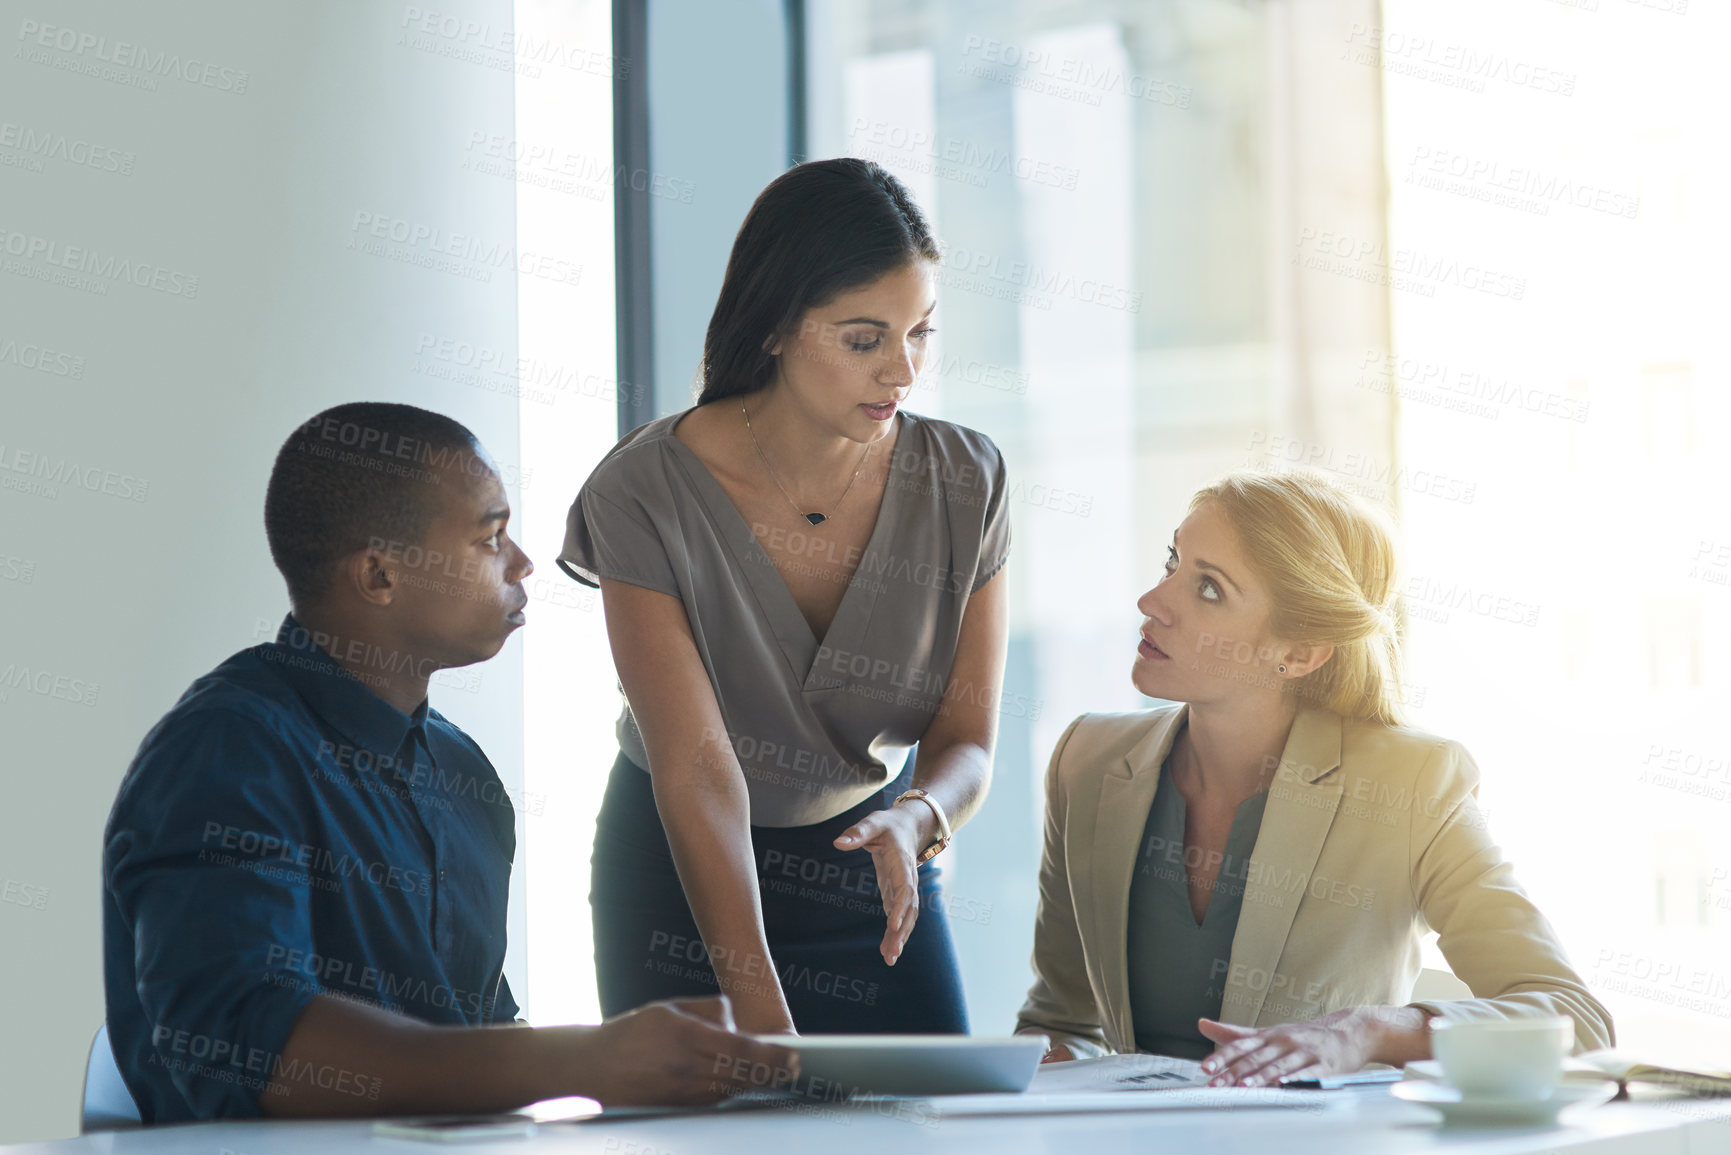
(676, 1054)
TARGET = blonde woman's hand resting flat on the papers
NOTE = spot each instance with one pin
(1261, 1057)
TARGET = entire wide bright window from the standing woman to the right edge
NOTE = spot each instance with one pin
(1448, 255)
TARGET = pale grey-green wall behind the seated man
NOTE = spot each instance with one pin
(171, 406)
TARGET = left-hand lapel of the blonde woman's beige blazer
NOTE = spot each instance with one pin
(1126, 796)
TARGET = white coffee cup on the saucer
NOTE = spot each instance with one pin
(1515, 1059)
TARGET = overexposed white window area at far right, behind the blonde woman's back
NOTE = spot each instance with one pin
(1559, 212)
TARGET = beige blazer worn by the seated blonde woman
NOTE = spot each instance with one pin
(1370, 839)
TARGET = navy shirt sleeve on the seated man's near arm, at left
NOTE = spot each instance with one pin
(212, 929)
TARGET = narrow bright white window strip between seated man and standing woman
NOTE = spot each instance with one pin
(565, 378)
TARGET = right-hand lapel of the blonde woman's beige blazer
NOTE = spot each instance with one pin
(1296, 822)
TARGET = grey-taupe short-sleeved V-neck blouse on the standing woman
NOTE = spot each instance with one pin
(818, 725)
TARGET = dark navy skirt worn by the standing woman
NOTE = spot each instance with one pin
(821, 912)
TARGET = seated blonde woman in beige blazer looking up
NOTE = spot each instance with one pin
(1273, 633)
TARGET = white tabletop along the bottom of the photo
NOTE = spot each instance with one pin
(1358, 1123)
